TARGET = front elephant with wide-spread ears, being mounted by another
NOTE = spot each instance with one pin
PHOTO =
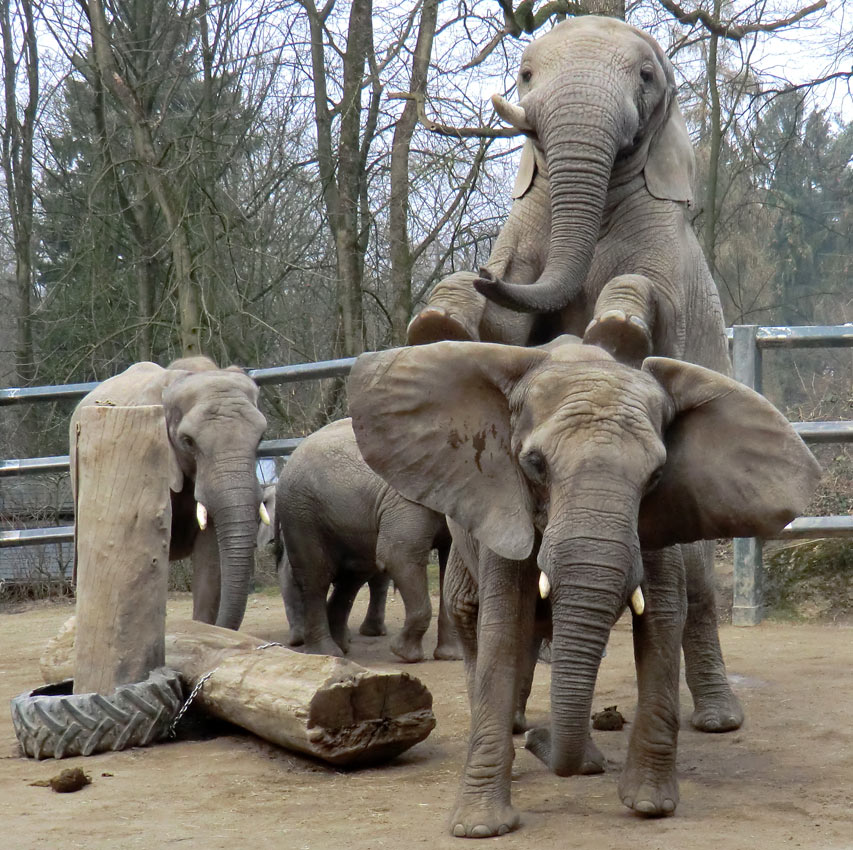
(565, 468)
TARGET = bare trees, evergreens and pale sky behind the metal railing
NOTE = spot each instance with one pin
(272, 181)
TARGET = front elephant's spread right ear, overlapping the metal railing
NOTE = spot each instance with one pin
(735, 466)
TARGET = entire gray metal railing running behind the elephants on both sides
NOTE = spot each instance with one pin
(748, 342)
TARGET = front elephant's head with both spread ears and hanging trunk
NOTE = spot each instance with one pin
(567, 450)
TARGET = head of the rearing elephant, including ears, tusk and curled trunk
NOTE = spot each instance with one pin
(598, 100)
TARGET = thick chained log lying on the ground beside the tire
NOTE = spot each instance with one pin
(329, 708)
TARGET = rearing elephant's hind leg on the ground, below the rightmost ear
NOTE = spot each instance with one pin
(715, 706)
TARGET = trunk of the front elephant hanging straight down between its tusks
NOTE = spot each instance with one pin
(588, 595)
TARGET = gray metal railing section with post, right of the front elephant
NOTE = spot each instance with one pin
(748, 342)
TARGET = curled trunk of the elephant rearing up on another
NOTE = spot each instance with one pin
(579, 127)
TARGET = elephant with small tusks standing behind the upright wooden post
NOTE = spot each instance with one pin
(214, 427)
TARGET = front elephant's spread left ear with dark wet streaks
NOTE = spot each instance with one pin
(434, 421)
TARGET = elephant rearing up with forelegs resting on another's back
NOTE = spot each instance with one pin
(598, 244)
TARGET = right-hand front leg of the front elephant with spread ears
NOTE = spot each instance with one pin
(648, 784)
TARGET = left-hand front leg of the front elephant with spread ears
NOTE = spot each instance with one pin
(483, 805)
